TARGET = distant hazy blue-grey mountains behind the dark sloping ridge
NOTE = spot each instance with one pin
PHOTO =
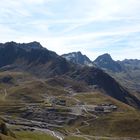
(126, 72)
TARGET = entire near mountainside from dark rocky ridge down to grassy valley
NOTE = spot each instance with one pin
(44, 96)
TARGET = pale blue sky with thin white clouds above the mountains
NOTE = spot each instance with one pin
(93, 27)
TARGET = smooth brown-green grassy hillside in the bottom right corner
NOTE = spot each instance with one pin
(115, 124)
